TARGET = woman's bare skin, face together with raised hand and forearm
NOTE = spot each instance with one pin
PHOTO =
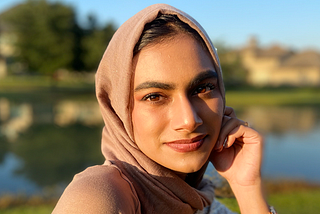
(177, 98)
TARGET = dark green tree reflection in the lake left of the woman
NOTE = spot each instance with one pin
(52, 154)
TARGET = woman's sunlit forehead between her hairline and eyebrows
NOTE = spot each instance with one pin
(172, 59)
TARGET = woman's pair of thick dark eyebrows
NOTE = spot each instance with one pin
(168, 86)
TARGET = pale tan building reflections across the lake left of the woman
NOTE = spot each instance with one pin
(17, 118)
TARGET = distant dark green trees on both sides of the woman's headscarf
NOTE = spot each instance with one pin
(49, 38)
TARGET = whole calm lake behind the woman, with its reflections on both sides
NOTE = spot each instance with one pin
(45, 139)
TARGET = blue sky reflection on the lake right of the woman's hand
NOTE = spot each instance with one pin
(293, 155)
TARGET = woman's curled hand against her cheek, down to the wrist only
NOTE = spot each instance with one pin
(237, 154)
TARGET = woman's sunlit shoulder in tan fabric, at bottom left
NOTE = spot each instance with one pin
(99, 189)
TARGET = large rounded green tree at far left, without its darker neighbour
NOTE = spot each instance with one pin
(46, 35)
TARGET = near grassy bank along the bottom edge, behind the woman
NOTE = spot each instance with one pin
(288, 197)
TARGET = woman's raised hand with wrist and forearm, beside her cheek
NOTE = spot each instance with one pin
(237, 156)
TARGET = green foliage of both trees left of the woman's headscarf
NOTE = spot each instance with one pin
(49, 37)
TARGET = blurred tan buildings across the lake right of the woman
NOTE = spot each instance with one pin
(276, 66)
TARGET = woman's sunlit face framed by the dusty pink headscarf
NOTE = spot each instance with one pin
(178, 106)
